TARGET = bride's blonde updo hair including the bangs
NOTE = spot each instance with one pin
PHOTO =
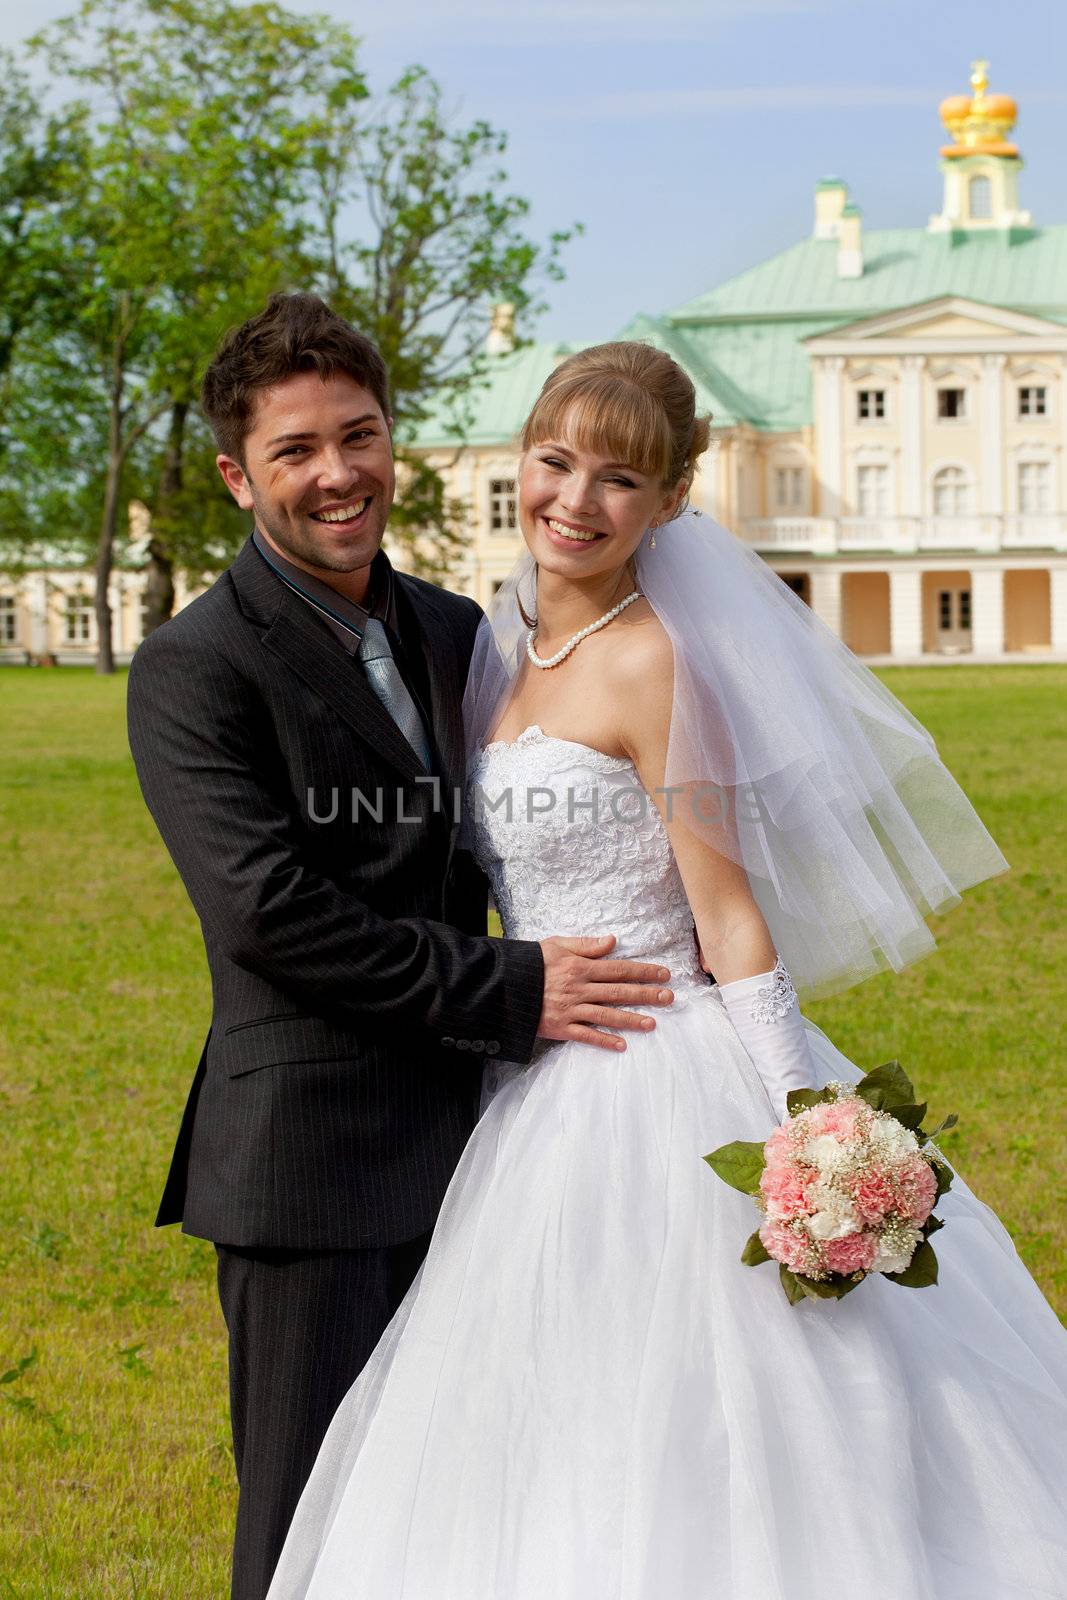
(628, 402)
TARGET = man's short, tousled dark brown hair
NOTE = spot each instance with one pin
(294, 334)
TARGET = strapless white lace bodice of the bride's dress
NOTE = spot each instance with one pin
(573, 846)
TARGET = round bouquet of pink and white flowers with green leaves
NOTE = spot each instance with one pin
(847, 1185)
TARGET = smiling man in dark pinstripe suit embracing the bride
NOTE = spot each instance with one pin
(298, 738)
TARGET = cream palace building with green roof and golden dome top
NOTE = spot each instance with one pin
(890, 425)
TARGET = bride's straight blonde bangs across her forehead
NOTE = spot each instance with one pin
(605, 417)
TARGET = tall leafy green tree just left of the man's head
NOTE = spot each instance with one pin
(185, 212)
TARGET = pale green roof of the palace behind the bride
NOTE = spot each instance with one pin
(743, 342)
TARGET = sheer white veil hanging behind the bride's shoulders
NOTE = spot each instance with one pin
(786, 754)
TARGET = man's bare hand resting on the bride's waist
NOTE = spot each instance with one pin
(585, 993)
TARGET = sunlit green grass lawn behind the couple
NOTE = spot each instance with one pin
(116, 1474)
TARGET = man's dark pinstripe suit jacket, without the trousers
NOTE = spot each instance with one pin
(354, 991)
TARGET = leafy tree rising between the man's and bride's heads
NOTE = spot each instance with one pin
(441, 242)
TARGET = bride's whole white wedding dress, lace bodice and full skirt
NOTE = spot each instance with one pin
(586, 1396)
